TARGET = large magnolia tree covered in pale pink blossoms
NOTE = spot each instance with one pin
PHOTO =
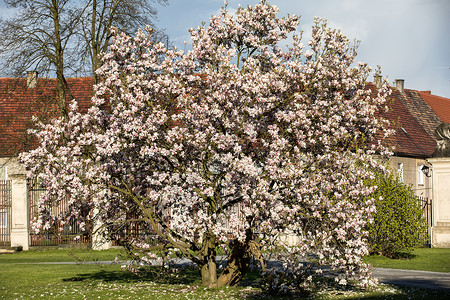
(236, 144)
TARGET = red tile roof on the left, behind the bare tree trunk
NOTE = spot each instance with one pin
(18, 104)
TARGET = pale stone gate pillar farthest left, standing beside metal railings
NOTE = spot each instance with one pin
(20, 234)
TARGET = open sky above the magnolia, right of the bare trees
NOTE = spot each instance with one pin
(410, 39)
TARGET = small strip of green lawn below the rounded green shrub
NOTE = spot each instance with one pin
(425, 259)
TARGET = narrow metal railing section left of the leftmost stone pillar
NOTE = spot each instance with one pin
(5, 212)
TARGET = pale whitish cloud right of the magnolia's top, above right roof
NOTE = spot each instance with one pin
(409, 39)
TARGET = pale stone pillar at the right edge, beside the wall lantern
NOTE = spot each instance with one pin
(440, 230)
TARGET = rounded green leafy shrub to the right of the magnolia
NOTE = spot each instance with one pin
(399, 223)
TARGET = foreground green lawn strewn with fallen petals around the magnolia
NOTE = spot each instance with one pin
(26, 275)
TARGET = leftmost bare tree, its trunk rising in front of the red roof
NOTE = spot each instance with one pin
(38, 39)
